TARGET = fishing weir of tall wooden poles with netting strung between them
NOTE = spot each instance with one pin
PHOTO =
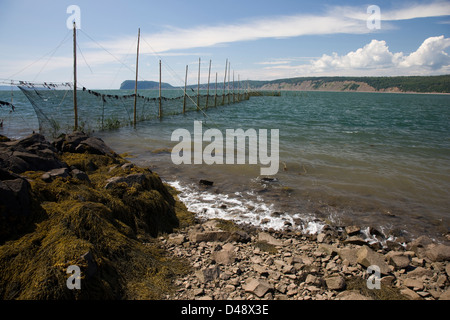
(65, 107)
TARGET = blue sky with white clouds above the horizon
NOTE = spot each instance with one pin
(262, 40)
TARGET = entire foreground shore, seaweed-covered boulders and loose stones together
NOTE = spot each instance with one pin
(75, 202)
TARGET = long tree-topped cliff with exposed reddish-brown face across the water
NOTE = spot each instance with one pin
(432, 84)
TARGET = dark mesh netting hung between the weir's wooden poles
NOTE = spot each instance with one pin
(97, 111)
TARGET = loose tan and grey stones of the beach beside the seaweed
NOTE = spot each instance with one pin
(245, 264)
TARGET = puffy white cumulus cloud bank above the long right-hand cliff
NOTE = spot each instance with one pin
(373, 59)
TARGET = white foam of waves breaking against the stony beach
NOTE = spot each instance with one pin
(243, 209)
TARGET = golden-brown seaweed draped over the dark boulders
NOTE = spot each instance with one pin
(109, 233)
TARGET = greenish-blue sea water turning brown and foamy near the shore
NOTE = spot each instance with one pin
(368, 159)
